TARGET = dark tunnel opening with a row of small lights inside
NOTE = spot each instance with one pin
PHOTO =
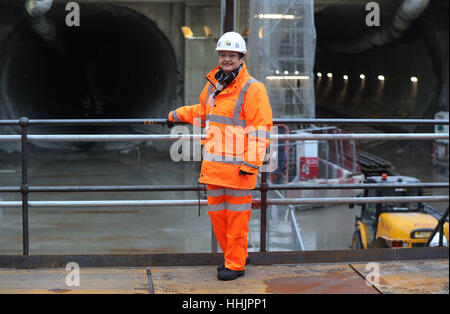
(387, 89)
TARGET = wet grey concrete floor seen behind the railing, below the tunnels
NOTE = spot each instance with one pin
(117, 230)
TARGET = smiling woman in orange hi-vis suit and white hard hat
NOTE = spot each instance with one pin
(235, 110)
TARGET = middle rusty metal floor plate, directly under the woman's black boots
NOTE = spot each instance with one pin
(311, 279)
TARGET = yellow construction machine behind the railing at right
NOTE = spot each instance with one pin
(394, 225)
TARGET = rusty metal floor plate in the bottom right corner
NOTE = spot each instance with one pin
(416, 277)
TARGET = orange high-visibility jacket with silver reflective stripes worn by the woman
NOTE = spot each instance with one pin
(238, 122)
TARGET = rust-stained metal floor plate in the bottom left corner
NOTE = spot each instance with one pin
(91, 281)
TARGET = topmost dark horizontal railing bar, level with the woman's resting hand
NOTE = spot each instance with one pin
(275, 121)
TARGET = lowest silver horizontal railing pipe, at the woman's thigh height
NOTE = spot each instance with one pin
(287, 201)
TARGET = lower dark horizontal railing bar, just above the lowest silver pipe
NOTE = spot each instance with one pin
(161, 188)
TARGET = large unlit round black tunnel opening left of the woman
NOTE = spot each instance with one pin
(116, 64)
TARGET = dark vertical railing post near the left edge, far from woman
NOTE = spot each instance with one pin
(24, 188)
